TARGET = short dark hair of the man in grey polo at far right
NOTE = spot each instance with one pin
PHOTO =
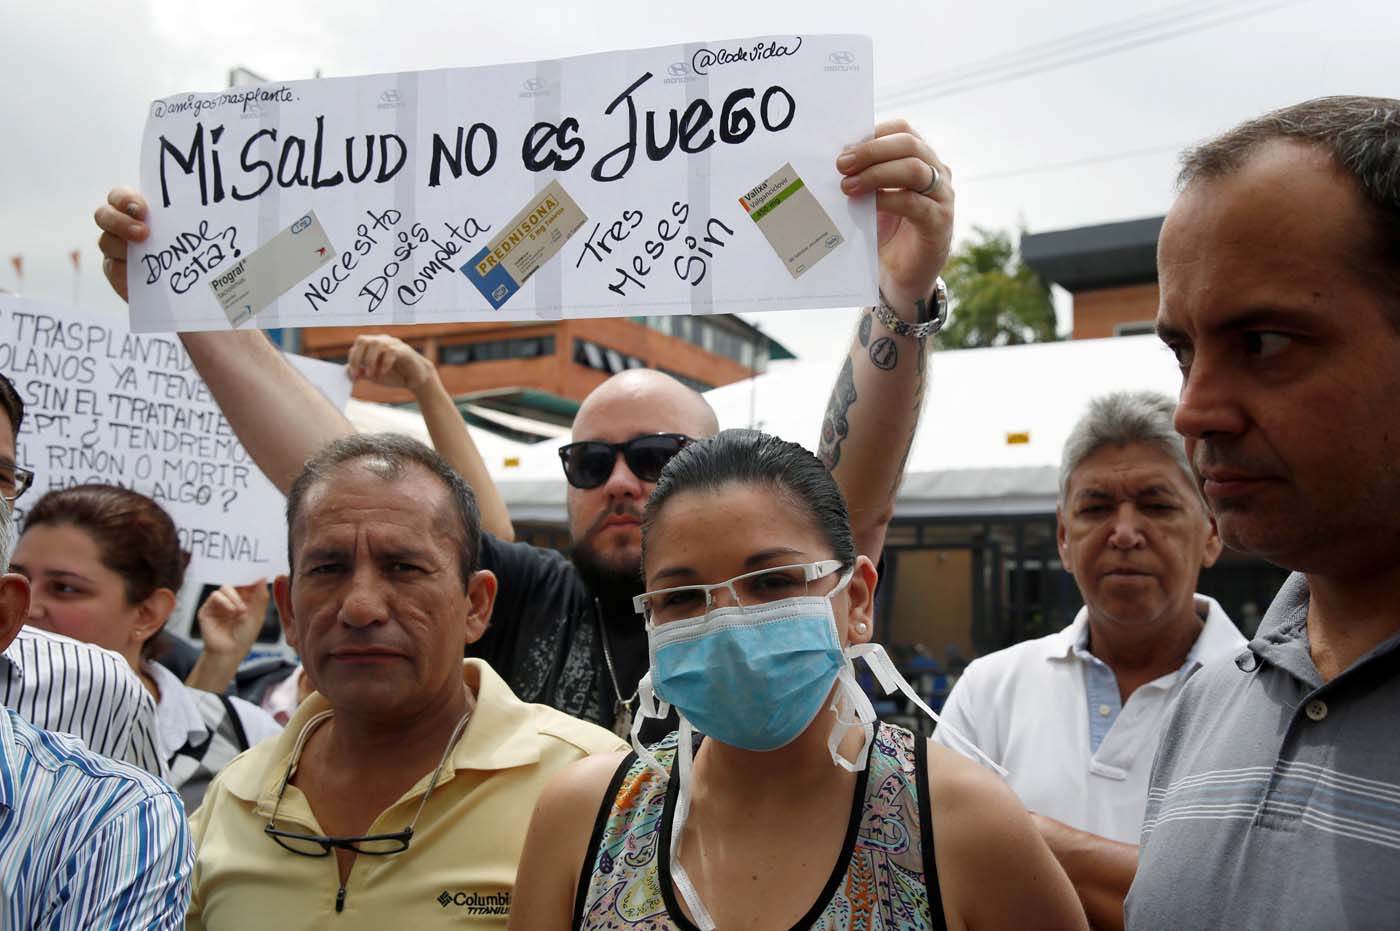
(1361, 135)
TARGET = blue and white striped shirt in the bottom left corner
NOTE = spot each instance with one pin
(86, 842)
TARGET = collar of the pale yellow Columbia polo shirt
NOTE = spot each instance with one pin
(500, 736)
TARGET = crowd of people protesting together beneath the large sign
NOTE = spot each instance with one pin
(664, 729)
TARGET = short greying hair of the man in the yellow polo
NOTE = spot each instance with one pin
(390, 457)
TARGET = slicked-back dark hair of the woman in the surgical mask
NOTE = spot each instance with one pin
(748, 457)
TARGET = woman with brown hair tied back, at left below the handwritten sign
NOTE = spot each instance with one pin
(104, 566)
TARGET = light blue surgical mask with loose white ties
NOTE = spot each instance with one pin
(755, 678)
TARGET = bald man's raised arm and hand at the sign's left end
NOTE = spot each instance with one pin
(278, 415)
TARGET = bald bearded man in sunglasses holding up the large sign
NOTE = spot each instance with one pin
(563, 632)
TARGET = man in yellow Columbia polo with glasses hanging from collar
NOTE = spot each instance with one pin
(400, 794)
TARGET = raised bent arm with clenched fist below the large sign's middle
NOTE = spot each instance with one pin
(395, 365)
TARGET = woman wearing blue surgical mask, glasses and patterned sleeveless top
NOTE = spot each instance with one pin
(799, 810)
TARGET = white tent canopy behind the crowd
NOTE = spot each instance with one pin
(990, 439)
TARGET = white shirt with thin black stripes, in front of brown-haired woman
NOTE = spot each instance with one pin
(69, 687)
